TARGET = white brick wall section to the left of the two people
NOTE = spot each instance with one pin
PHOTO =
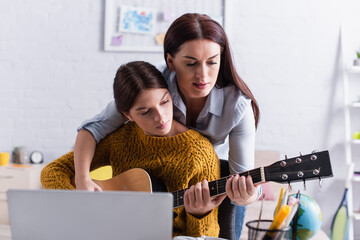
(53, 72)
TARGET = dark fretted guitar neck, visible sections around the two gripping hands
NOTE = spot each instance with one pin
(218, 187)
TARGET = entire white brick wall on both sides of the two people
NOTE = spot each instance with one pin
(54, 75)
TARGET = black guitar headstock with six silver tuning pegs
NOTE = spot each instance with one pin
(314, 165)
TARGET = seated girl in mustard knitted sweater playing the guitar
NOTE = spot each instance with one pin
(152, 140)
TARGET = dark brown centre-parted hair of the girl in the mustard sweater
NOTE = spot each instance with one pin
(133, 78)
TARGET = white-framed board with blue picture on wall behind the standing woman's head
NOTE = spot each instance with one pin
(140, 25)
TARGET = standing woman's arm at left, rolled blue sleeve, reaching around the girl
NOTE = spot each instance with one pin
(91, 132)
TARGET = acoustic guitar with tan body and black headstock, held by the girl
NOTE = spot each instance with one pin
(311, 166)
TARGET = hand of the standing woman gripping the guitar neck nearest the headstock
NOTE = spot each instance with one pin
(241, 190)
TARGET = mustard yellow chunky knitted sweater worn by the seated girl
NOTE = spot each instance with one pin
(179, 161)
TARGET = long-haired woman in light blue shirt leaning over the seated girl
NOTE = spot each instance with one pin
(208, 96)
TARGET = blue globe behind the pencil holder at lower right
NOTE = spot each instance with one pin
(309, 218)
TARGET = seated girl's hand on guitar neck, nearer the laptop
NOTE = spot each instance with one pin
(197, 200)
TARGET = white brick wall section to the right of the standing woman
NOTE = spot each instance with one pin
(289, 54)
